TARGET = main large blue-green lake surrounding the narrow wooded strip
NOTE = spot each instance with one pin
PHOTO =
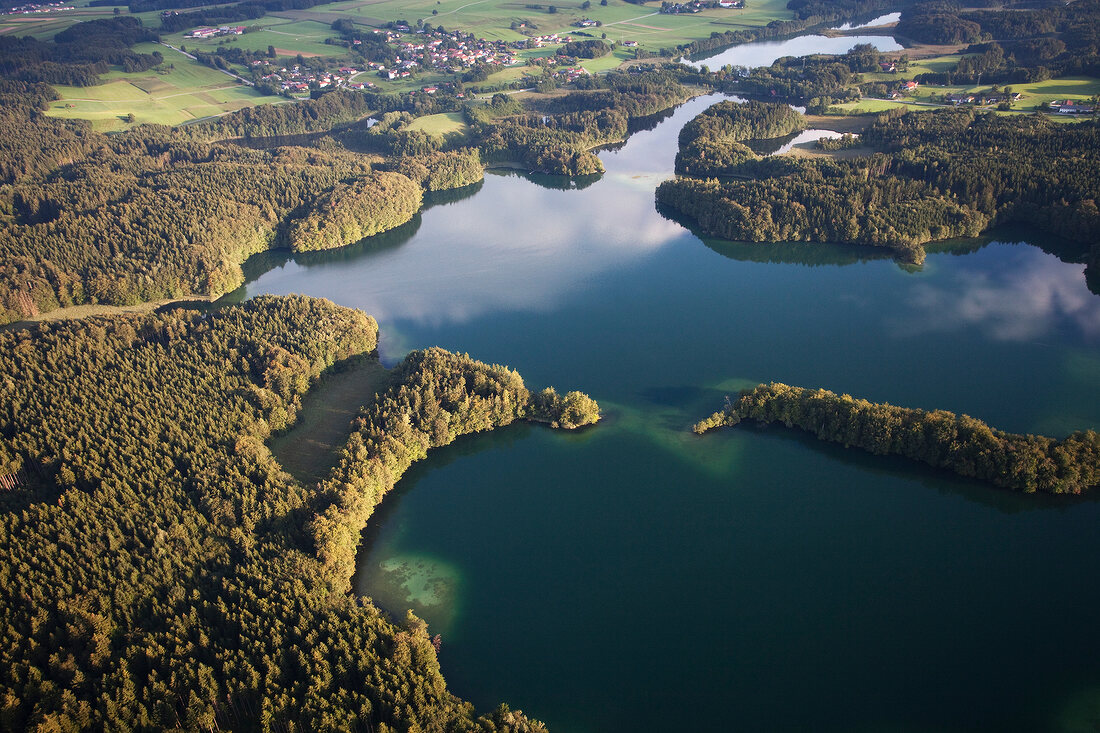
(634, 577)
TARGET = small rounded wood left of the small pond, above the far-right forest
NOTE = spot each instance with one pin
(712, 144)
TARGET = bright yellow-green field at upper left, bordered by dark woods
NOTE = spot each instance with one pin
(185, 93)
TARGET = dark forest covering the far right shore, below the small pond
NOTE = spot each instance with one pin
(936, 176)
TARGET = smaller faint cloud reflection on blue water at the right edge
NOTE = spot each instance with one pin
(1018, 303)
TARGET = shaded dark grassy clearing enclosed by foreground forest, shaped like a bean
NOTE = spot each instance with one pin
(311, 448)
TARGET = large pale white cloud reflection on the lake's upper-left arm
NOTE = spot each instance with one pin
(514, 247)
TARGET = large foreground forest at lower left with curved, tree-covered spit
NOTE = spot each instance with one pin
(164, 572)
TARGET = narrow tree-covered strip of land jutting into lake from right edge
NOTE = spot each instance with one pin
(958, 443)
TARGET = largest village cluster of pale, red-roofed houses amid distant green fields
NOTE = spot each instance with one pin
(448, 52)
